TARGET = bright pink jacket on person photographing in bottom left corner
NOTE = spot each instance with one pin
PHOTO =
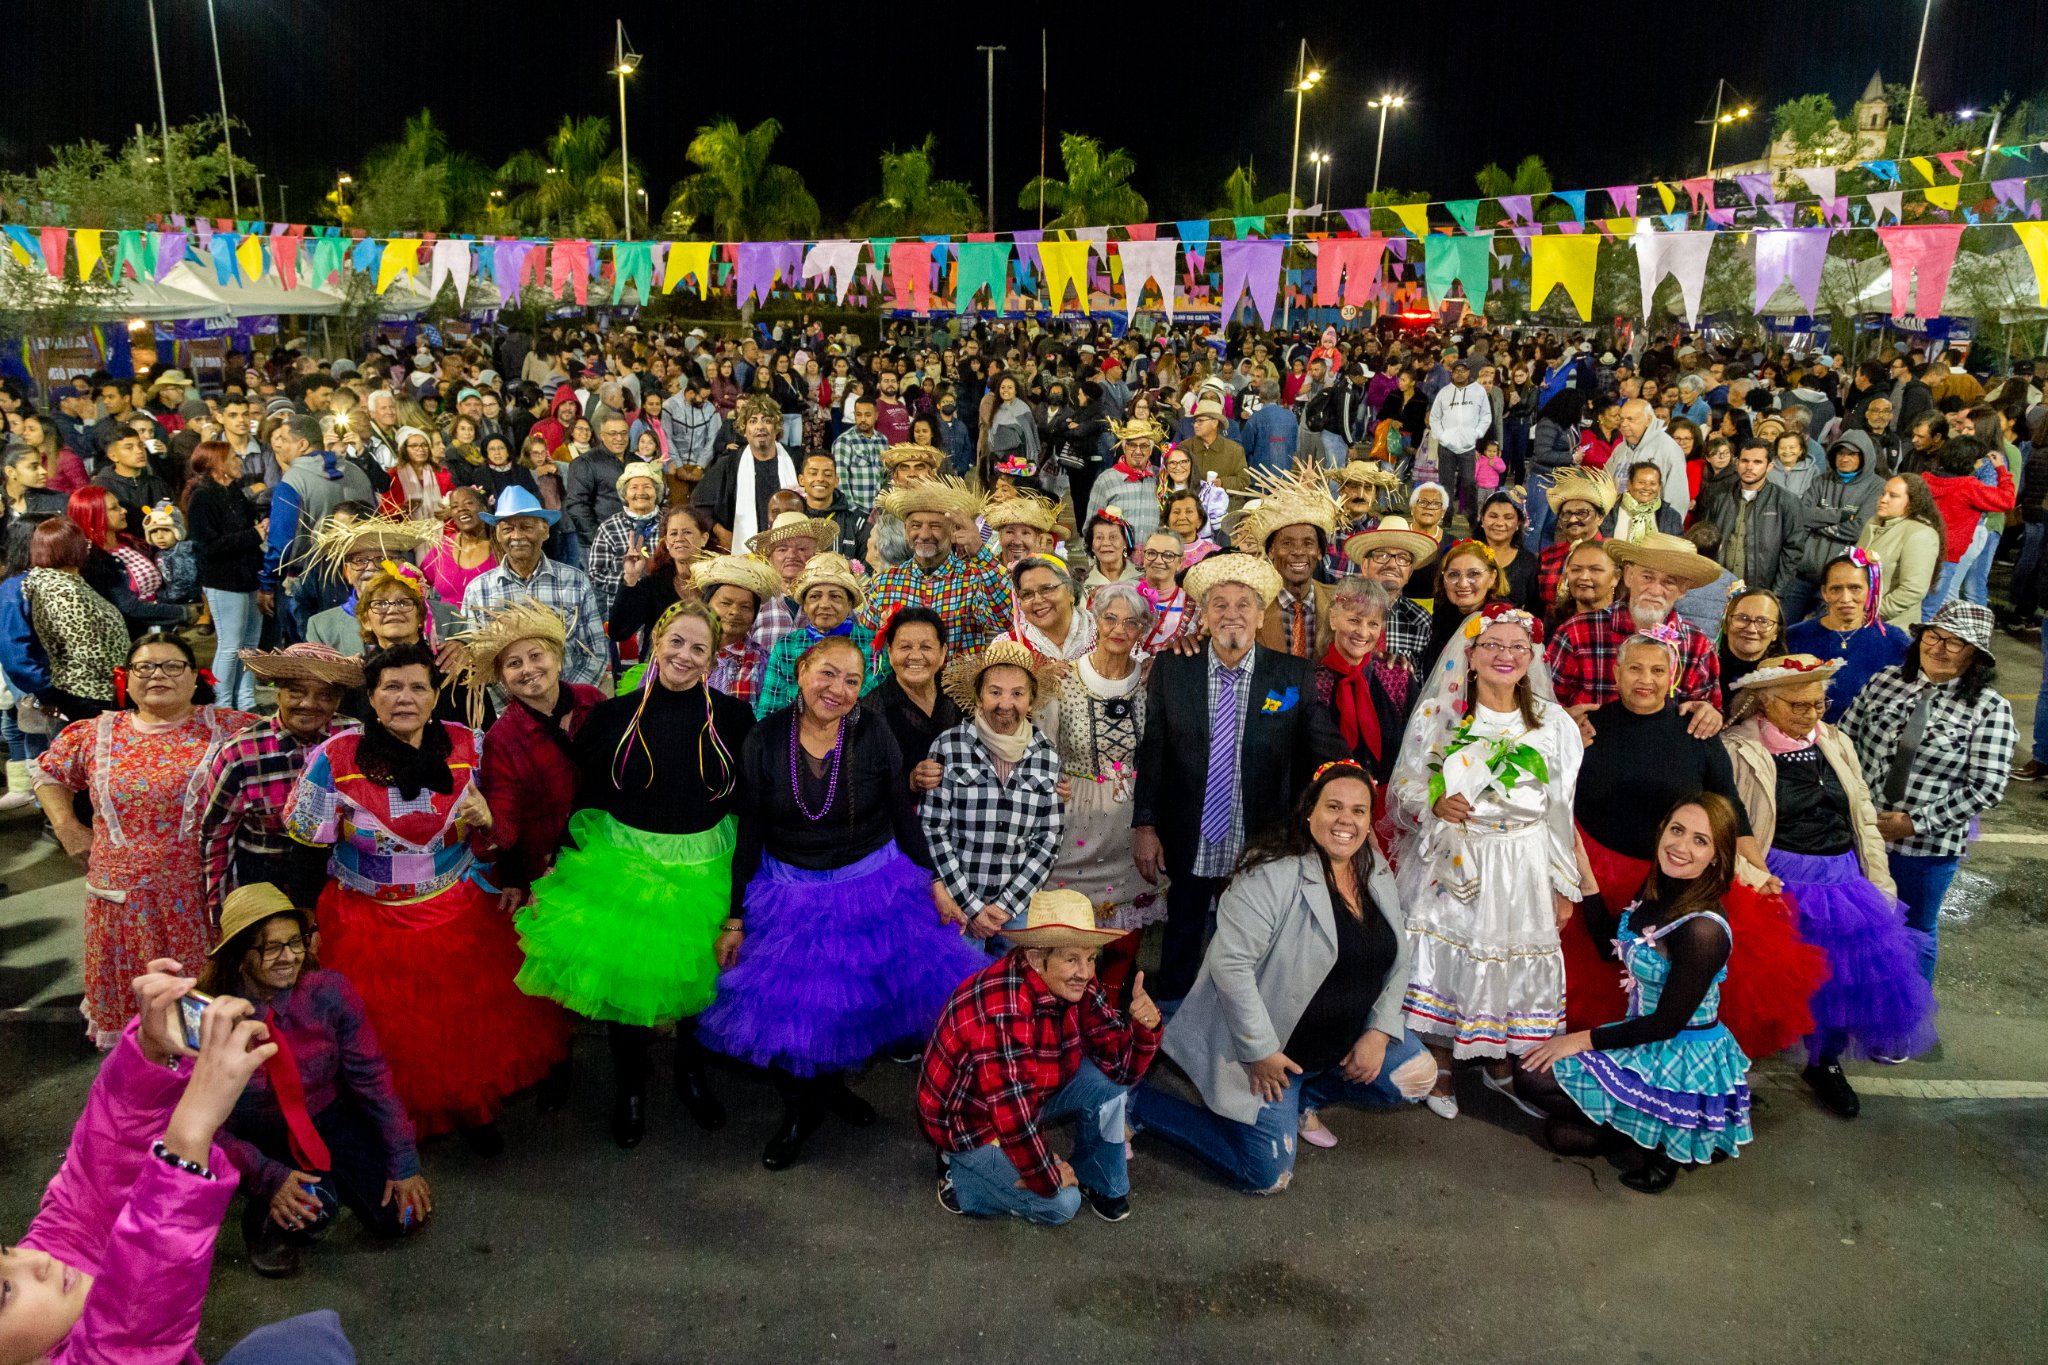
(140, 1227)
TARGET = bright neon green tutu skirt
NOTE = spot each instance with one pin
(624, 928)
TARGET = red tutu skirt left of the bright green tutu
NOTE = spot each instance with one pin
(437, 981)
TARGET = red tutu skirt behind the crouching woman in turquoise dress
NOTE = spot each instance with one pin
(1773, 971)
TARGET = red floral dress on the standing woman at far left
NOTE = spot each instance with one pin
(146, 895)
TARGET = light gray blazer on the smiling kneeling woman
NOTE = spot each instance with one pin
(1277, 940)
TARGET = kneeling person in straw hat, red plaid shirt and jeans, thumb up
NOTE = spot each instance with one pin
(1027, 1043)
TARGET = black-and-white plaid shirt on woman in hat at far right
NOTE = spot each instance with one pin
(1959, 770)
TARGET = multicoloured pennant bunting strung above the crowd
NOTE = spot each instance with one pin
(1351, 267)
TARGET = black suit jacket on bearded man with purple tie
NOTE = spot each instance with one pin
(1279, 754)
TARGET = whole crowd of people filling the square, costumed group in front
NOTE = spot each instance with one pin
(1418, 707)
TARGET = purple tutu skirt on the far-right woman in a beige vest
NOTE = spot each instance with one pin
(1875, 994)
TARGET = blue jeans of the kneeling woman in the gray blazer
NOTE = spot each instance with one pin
(1261, 1157)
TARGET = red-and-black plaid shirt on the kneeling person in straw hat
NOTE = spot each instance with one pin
(1005, 1047)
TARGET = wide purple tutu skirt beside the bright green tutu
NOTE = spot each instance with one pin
(837, 967)
